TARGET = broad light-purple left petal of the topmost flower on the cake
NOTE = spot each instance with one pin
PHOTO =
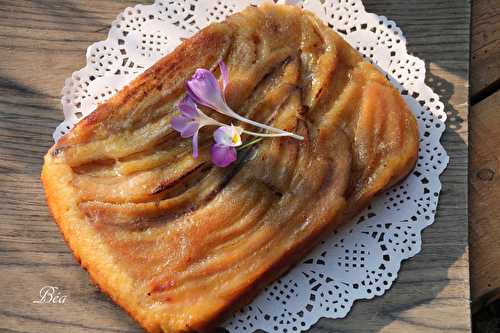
(204, 89)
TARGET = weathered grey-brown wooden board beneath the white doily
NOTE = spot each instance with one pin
(43, 42)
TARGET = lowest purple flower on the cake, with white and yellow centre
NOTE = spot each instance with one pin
(226, 139)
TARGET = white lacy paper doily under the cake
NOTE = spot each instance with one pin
(363, 259)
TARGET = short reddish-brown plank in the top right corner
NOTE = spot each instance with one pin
(485, 45)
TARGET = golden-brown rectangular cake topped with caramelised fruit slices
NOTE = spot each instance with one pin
(179, 243)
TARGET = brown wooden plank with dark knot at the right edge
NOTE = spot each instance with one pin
(484, 199)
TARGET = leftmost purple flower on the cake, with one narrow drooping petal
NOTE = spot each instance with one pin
(191, 121)
